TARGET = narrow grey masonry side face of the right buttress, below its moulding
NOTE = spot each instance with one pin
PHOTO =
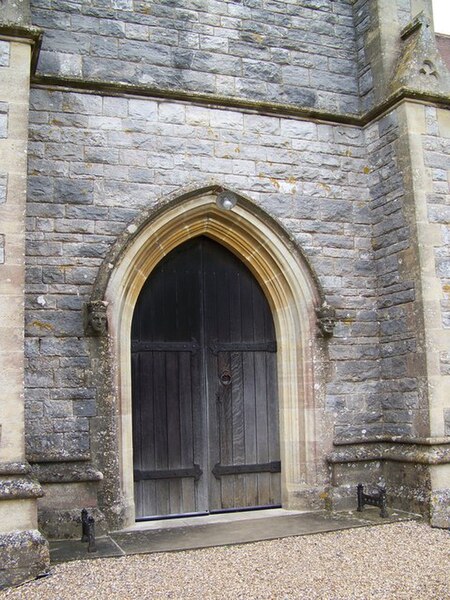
(400, 385)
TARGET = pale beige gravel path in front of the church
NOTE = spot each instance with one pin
(403, 560)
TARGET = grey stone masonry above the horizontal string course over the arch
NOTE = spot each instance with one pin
(300, 53)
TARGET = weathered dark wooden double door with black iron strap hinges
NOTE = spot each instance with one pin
(205, 410)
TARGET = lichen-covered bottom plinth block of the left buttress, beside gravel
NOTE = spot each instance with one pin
(24, 555)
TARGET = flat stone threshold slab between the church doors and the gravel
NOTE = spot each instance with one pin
(219, 530)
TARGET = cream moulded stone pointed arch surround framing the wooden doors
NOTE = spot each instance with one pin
(291, 290)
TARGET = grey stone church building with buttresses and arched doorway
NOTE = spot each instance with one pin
(224, 262)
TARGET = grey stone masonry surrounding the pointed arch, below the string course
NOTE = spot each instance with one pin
(95, 163)
